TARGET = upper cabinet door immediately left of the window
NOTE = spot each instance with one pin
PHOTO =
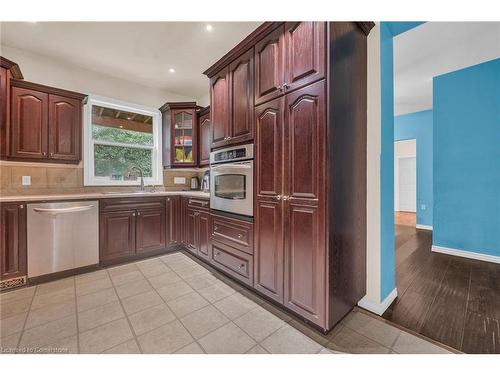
(65, 127)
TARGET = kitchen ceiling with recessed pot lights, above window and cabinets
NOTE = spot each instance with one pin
(141, 52)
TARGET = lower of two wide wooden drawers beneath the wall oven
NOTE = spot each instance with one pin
(232, 261)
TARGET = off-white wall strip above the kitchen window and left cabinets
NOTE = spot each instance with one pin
(48, 71)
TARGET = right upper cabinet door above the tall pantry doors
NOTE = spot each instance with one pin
(305, 57)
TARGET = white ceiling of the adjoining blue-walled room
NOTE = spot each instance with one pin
(435, 48)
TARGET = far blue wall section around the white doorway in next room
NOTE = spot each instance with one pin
(418, 125)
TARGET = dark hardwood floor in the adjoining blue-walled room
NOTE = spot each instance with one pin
(450, 299)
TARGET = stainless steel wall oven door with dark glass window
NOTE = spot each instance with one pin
(231, 187)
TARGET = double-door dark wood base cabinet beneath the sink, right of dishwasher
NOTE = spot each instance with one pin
(131, 227)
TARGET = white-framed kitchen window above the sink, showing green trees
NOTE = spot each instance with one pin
(118, 136)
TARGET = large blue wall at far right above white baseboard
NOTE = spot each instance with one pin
(466, 108)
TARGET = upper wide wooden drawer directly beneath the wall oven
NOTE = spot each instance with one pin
(235, 233)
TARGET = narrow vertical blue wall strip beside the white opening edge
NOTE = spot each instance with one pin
(387, 256)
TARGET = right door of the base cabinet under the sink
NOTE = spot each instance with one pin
(150, 230)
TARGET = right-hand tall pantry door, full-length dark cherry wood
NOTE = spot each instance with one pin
(305, 248)
